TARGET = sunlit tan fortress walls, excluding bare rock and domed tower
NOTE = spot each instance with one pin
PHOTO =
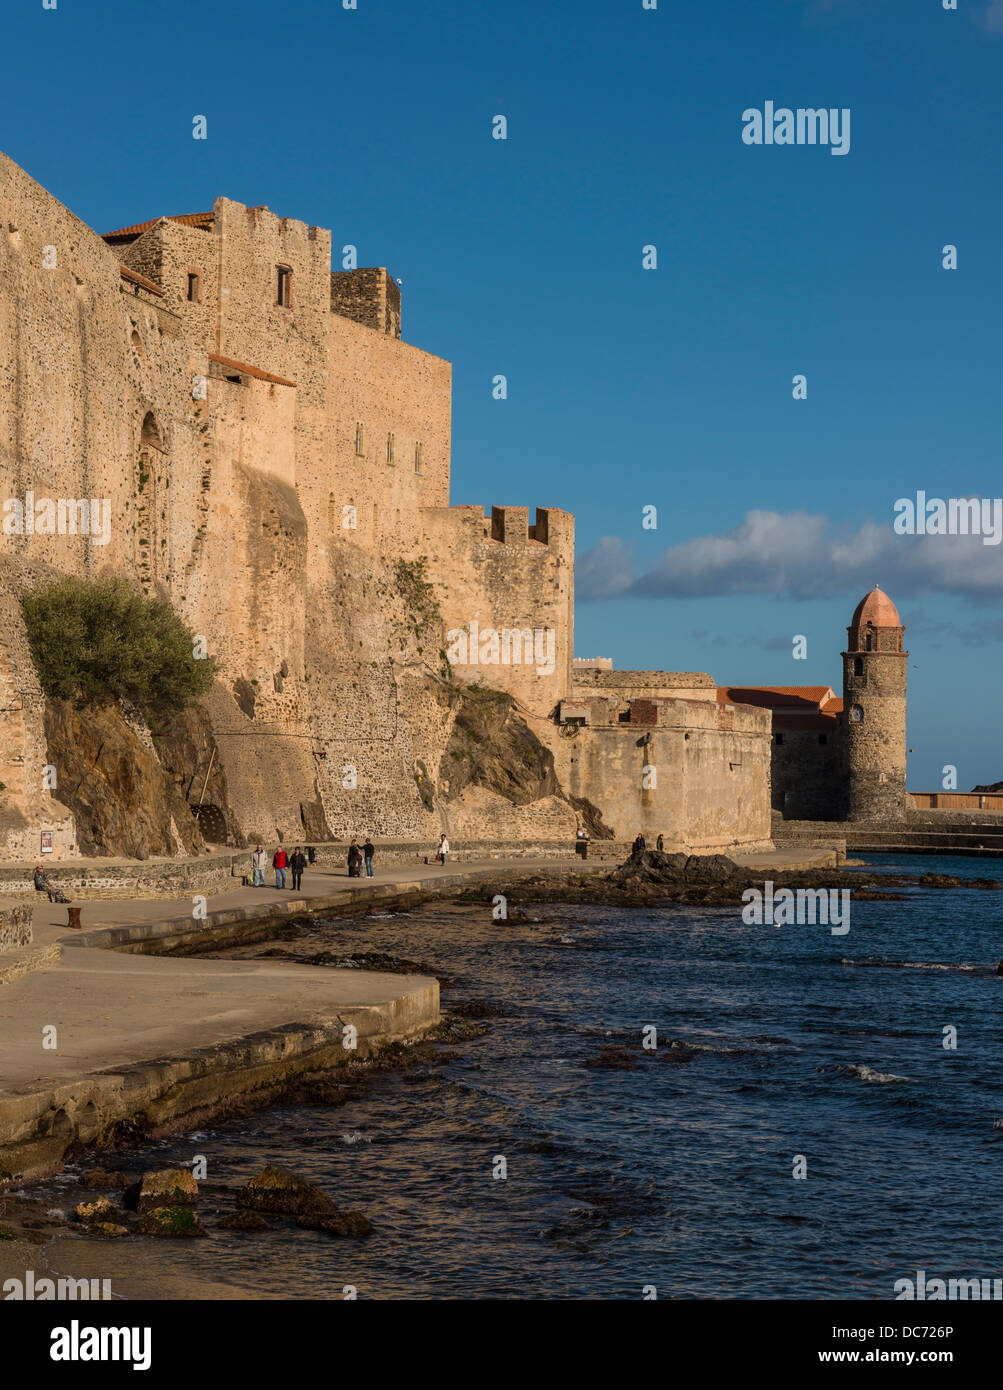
(237, 405)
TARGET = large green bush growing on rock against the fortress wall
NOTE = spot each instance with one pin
(102, 640)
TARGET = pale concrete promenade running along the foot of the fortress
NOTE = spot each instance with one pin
(167, 1040)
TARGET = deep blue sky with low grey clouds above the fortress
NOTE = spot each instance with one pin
(629, 389)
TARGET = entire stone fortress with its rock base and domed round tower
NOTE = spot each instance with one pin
(274, 459)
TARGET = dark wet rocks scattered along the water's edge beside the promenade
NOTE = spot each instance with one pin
(110, 1204)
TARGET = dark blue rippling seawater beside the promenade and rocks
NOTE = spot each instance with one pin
(676, 1175)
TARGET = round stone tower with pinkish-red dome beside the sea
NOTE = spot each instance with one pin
(874, 712)
